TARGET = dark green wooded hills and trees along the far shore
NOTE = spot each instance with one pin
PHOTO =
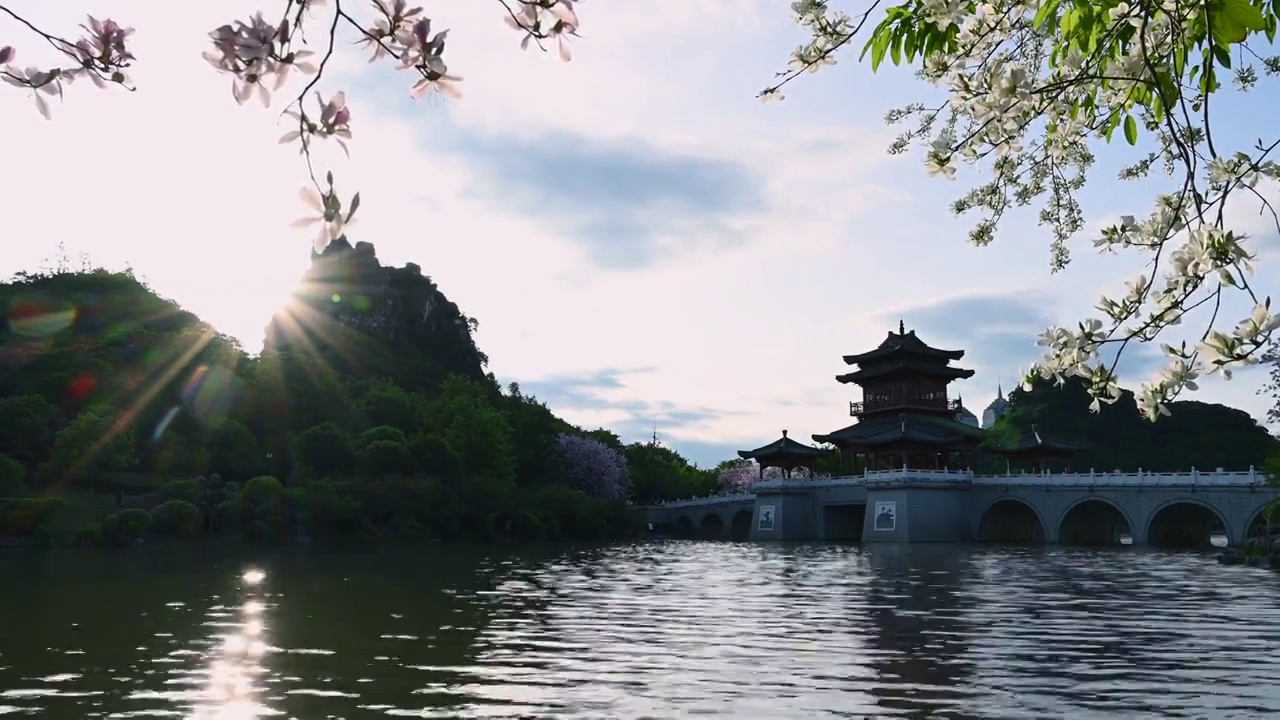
(371, 416)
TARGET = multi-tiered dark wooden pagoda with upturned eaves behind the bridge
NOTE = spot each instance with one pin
(906, 418)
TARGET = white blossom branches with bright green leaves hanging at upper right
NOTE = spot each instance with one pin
(1030, 104)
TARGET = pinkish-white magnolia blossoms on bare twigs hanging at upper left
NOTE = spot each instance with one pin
(262, 57)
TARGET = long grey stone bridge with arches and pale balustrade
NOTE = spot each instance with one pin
(908, 505)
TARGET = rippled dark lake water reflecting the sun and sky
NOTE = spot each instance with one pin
(644, 631)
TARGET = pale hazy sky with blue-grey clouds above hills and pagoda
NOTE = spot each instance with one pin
(644, 244)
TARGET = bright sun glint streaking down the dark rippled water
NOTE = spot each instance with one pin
(232, 691)
